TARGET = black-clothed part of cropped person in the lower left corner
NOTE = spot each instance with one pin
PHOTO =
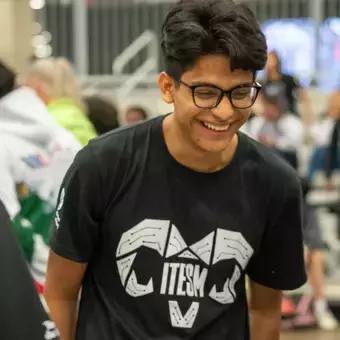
(23, 316)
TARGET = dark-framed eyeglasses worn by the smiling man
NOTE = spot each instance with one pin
(209, 96)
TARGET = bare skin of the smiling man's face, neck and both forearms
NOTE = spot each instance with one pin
(200, 149)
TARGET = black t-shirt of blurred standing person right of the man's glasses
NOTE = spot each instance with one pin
(287, 85)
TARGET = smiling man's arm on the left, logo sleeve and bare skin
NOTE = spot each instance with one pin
(75, 235)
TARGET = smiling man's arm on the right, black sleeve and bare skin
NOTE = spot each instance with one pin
(279, 263)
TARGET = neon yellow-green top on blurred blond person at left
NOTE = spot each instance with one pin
(68, 114)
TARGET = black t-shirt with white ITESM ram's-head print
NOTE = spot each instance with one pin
(167, 247)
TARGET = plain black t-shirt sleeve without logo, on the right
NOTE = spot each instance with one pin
(279, 262)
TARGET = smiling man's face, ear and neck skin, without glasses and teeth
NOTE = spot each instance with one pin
(205, 151)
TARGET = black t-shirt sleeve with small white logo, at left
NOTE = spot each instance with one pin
(76, 224)
